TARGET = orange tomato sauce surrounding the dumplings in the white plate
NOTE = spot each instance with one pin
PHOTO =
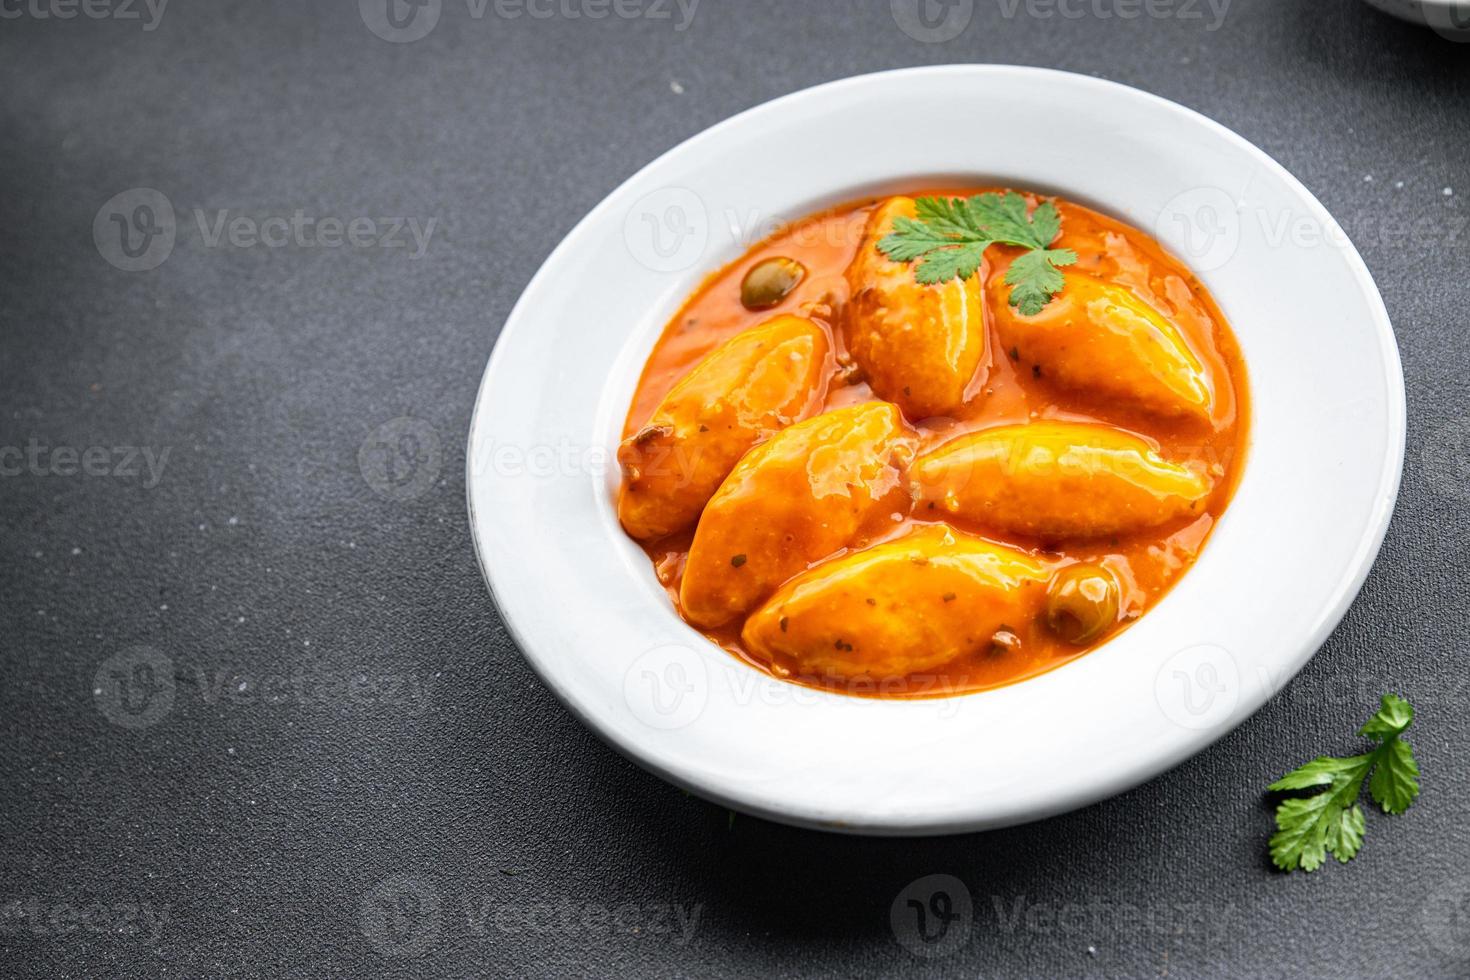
(1146, 563)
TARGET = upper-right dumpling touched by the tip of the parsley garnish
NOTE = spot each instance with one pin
(1102, 337)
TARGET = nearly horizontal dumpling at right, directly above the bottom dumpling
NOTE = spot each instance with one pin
(1056, 480)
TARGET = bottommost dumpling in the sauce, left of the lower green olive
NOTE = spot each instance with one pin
(909, 606)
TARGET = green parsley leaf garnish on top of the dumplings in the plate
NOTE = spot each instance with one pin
(949, 237)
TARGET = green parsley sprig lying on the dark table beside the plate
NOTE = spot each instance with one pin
(1309, 828)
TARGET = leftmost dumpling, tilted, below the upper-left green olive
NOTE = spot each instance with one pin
(746, 390)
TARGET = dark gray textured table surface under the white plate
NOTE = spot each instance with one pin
(358, 774)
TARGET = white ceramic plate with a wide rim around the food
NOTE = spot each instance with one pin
(583, 603)
